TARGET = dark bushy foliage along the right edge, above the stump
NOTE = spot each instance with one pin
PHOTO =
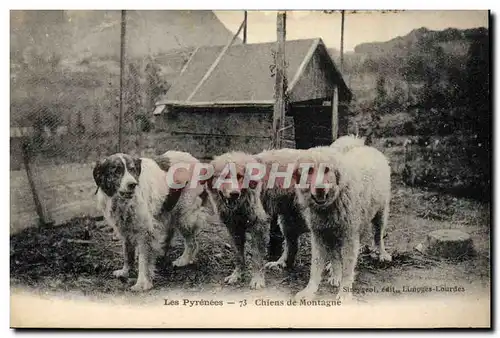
(445, 95)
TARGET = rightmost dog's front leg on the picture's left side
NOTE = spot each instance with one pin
(318, 261)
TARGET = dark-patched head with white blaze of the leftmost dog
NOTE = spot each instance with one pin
(118, 175)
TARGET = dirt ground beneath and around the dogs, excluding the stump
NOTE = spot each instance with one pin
(79, 257)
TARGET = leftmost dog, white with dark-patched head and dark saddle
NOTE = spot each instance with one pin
(136, 201)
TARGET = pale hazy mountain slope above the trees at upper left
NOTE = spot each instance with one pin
(76, 33)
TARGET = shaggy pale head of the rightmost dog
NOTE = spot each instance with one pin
(320, 180)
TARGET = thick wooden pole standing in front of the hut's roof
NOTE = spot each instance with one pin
(280, 87)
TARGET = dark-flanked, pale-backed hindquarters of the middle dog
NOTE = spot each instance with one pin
(280, 203)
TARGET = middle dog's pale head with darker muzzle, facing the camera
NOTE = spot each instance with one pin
(236, 176)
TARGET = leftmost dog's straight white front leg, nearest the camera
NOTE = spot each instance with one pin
(145, 264)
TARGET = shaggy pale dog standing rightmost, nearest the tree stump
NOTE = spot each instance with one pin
(360, 194)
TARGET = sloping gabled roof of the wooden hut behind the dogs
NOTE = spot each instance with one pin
(242, 75)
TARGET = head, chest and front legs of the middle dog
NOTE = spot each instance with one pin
(242, 212)
